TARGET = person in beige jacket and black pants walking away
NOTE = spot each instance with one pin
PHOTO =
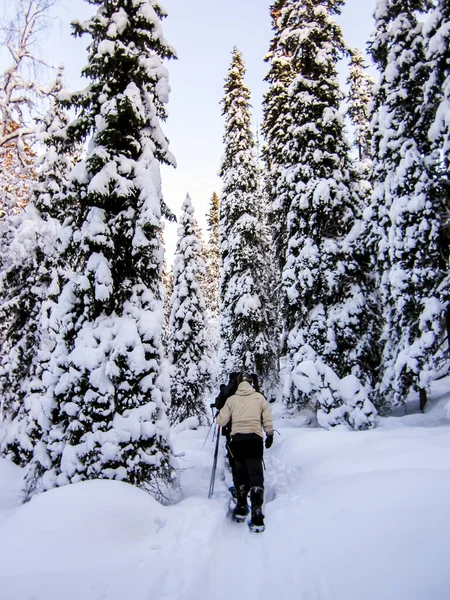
(249, 413)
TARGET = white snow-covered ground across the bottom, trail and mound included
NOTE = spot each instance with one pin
(349, 516)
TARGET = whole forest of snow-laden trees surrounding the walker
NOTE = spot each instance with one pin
(325, 271)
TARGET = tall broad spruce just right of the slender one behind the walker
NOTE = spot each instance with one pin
(328, 307)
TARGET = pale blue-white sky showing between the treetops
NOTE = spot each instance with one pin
(203, 32)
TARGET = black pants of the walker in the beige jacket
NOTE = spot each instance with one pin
(247, 451)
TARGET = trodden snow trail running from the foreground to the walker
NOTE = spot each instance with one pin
(210, 556)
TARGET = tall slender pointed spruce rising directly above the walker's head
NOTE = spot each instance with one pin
(248, 315)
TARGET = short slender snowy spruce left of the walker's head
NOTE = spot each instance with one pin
(189, 348)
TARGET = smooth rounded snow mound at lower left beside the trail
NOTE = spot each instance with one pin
(78, 525)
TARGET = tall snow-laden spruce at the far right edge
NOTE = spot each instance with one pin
(406, 208)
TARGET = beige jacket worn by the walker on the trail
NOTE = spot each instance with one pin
(248, 411)
